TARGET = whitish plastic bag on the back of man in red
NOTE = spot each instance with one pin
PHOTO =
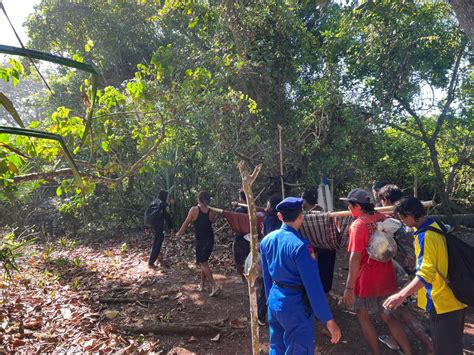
(382, 245)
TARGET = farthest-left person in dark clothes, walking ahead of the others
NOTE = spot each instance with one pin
(158, 230)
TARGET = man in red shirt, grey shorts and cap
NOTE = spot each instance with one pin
(369, 281)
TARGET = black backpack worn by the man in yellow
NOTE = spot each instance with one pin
(460, 265)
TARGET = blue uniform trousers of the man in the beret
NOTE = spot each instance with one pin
(291, 330)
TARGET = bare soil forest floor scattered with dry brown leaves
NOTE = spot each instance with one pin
(99, 295)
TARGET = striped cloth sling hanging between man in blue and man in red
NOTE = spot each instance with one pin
(324, 231)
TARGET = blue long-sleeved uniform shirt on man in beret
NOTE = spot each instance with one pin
(290, 259)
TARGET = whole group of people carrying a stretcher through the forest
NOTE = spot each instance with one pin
(297, 277)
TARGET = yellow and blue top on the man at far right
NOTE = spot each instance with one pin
(432, 259)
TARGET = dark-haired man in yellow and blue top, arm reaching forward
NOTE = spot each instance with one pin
(434, 295)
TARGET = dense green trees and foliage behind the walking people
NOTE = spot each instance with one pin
(190, 88)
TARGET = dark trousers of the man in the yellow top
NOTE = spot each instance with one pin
(447, 331)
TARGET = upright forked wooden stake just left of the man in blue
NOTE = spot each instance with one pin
(247, 182)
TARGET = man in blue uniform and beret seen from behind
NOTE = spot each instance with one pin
(292, 285)
